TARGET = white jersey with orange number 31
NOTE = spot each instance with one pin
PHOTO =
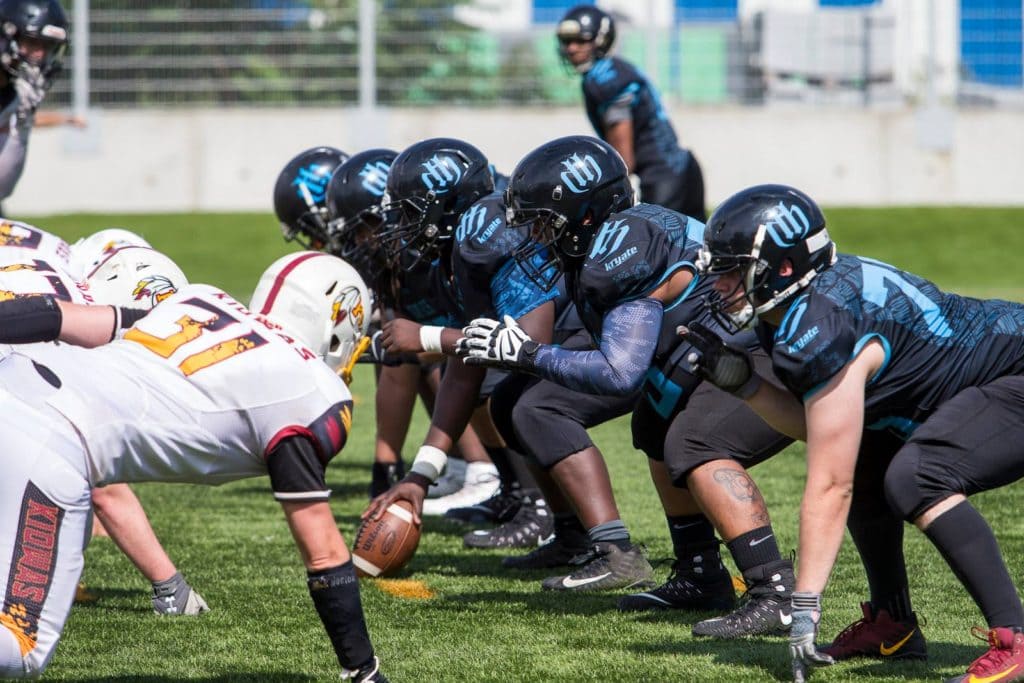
(200, 391)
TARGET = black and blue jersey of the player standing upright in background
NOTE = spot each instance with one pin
(614, 86)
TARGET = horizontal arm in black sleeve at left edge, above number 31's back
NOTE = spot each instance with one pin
(39, 319)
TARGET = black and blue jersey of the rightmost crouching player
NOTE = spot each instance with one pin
(936, 345)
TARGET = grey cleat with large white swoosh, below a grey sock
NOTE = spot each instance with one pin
(606, 567)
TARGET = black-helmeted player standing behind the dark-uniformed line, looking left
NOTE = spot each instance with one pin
(627, 112)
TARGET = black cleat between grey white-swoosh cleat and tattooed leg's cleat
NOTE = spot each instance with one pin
(686, 589)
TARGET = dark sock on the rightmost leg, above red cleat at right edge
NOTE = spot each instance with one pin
(965, 540)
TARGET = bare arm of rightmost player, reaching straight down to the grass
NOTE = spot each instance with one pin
(835, 423)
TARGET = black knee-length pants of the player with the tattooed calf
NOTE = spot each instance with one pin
(712, 426)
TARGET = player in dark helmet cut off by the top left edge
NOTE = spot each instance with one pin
(33, 39)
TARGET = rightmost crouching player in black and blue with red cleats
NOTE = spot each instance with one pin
(908, 397)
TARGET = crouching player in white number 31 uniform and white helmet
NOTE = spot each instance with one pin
(189, 394)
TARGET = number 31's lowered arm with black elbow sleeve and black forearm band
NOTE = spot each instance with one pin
(296, 471)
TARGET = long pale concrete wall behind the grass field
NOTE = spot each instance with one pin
(229, 160)
